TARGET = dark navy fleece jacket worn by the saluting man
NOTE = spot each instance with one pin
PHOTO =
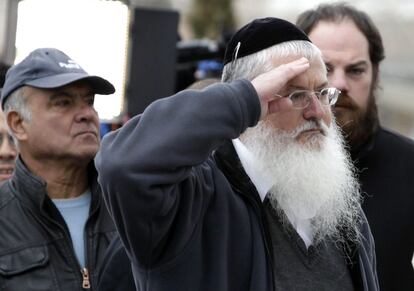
(187, 221)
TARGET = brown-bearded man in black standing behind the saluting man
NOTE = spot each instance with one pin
(352, 49)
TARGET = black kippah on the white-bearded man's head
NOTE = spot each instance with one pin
(261, 34)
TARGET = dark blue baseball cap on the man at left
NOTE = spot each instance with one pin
(49, 68)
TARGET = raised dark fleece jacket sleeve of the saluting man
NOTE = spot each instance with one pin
(155, 173)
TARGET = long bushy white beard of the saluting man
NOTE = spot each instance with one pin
(314, 180)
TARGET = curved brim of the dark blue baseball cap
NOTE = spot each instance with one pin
(99, 85)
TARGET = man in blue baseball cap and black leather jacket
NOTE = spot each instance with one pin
(53, 222)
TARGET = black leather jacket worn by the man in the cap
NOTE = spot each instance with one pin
(36, 251)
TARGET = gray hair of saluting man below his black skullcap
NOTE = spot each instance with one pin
(251, 66)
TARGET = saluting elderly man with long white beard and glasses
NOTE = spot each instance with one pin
(244, 185)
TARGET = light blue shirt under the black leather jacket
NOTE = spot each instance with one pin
(75, 211)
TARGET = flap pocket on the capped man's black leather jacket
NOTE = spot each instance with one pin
(27, 269)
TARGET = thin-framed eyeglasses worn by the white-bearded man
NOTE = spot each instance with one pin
(302, 98)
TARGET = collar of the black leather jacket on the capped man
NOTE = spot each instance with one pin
(31, 189)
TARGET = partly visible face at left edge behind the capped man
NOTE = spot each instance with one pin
(8, 151)
